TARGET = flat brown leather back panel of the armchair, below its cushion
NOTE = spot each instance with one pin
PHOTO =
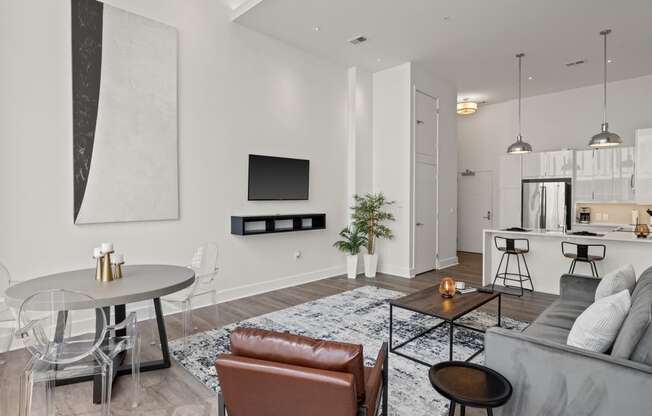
(255, 387)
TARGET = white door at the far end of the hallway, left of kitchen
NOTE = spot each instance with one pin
(475, 209)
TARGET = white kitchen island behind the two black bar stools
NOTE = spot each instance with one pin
(546, 262)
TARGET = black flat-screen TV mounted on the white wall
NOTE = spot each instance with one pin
(278, 178)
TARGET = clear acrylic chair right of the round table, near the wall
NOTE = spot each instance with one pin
(204, 263)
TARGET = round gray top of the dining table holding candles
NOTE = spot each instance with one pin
(140, 282)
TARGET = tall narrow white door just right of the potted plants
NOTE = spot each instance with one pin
(425, 211)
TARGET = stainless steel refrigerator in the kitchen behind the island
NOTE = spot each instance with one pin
(546, 204)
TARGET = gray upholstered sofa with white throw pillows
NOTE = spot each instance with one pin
(551, 378)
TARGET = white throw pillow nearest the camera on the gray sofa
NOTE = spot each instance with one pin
(597, 327)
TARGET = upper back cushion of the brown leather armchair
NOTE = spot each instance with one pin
(301, 351)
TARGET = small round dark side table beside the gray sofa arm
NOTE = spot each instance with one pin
(470, 385)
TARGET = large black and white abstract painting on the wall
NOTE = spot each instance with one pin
(124, 71)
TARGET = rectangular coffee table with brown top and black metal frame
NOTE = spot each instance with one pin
(430, 302)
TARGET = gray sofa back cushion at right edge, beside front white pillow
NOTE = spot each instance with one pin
(634, 340)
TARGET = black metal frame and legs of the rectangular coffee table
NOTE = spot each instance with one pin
(451, 333)
